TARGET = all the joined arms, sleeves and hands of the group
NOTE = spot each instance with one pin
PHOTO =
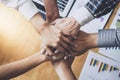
(61, 38)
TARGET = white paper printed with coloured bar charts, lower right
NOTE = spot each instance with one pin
(98, 67)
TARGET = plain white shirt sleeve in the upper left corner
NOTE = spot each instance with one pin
(26, 7)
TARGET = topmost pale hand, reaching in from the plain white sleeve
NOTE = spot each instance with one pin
(52, 36)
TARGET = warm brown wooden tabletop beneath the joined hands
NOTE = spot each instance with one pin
(18, 39)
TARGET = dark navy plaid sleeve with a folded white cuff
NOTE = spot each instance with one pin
(94, 9)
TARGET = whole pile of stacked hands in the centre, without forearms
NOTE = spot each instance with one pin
(64, 39)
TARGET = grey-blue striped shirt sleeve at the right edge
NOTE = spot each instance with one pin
(109, 38)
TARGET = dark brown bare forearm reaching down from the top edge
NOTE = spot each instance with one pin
(52, 11)
